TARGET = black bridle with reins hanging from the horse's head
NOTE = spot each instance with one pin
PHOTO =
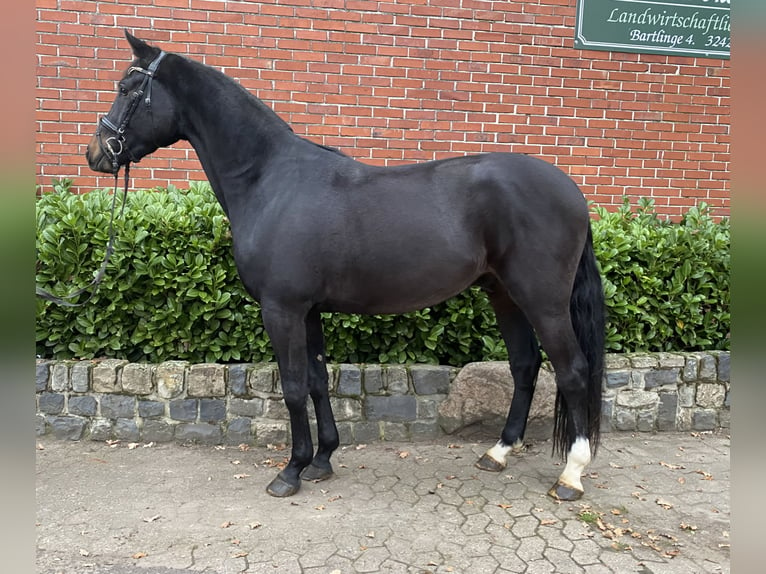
(109, 151)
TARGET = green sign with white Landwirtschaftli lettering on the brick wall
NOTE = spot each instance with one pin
(698, 28)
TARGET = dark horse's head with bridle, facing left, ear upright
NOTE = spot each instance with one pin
(143, 115)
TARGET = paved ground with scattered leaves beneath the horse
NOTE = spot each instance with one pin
(653, 504)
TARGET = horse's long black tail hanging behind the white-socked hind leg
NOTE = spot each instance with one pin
(589, 322)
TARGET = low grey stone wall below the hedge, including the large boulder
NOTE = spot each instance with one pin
(241, 403)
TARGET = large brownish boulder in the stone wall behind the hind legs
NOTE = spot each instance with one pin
(481, 393)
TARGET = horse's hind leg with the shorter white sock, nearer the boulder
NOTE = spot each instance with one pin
(525, 358)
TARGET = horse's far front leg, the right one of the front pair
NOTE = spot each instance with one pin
(327, 433)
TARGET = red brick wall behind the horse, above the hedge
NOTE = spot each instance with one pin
(402, 81)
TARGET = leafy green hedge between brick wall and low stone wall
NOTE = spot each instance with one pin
(171, 290)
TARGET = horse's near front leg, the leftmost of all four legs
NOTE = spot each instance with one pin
(287, 330)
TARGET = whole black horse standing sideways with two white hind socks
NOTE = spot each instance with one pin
(304, 243)
